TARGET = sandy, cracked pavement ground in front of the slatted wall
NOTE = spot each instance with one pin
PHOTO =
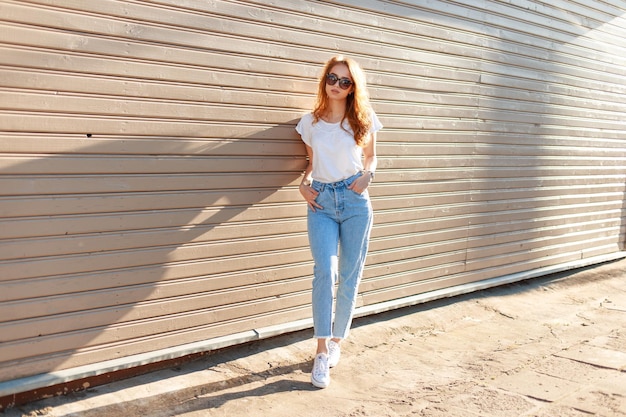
(552, 346)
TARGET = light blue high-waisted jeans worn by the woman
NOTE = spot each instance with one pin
(339, 236)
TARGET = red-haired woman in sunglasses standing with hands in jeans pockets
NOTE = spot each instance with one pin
(340, 139)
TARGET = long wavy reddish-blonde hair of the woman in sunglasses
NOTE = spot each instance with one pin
(358, 108)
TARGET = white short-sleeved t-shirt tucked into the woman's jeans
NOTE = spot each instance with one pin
(336, 156)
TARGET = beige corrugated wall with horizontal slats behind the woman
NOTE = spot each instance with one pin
(149, 166)
